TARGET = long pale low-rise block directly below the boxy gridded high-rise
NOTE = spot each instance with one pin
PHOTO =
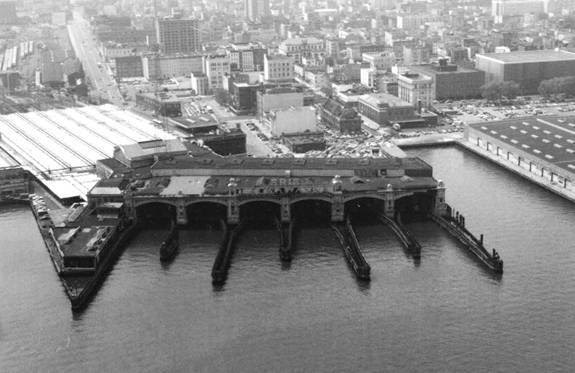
(157, 67)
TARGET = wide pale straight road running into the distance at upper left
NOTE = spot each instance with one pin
(86, 50)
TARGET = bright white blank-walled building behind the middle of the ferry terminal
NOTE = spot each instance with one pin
(292, 120)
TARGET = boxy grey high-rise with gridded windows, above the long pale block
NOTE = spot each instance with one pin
(178, 35)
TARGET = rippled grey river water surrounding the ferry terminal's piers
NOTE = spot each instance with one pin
(445, 313)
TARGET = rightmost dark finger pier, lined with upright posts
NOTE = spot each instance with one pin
(455, 226)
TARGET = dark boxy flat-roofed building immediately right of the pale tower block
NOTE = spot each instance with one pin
(452, 81)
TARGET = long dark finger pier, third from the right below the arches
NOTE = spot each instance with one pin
(351, 250)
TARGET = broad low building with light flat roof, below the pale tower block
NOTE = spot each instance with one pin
(385, 109)
